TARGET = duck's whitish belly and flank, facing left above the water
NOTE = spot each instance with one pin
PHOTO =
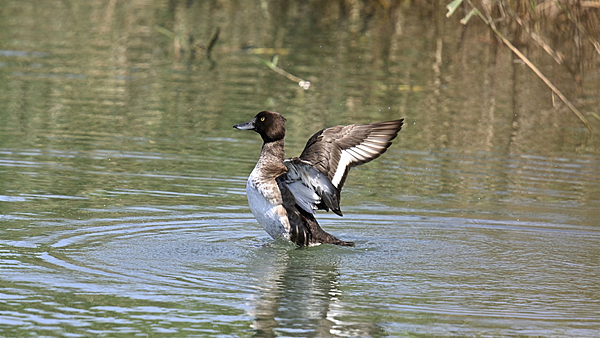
(266, 206)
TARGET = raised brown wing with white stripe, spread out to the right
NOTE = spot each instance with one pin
(335, 150)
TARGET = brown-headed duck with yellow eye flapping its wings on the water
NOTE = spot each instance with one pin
(284, 194)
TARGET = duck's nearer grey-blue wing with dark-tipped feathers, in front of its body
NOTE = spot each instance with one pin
(310, 188)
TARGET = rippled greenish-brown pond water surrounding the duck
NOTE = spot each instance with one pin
(122, 183)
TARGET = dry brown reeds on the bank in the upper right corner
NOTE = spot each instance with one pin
(568, 31)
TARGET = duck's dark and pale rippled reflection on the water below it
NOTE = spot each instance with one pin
(298, 295)
